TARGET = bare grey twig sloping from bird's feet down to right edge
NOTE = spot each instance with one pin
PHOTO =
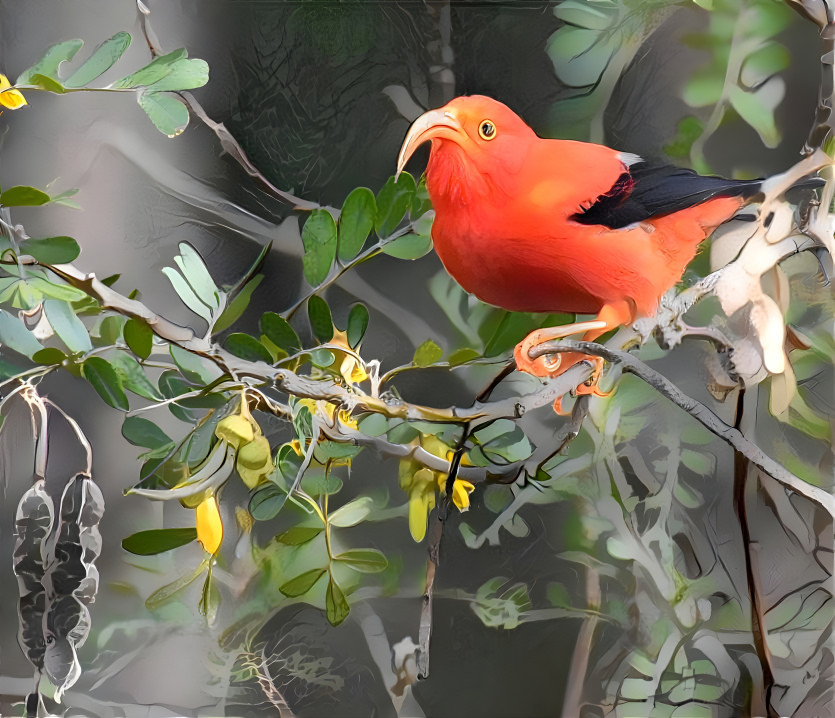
(698, 411)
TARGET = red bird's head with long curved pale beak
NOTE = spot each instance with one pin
(476, 136)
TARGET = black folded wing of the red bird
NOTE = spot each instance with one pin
(644, 191)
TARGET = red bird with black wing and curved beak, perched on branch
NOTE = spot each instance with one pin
(537, 225)
